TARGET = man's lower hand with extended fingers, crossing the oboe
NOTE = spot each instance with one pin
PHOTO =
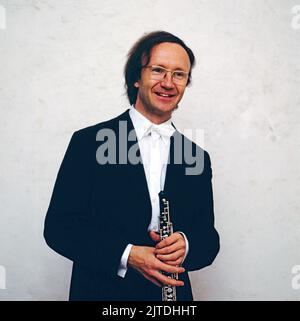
(142, 259)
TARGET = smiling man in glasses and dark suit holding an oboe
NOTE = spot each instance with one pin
(104, 211)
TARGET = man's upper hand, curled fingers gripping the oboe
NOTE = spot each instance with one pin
(171, 250)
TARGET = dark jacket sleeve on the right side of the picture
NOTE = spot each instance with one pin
(203, 238)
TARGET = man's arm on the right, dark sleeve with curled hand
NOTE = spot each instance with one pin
(203, 244)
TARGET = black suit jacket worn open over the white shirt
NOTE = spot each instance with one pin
(96, 210)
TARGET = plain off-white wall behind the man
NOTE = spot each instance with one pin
(61, 64)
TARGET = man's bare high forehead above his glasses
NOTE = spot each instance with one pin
(170, 55)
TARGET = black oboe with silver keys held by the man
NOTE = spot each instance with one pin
(166, 229)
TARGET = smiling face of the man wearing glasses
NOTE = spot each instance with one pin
(157, 99)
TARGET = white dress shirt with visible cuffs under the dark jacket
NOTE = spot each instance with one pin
(154, 144)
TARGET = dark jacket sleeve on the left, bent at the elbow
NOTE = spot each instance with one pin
(71, 228)
